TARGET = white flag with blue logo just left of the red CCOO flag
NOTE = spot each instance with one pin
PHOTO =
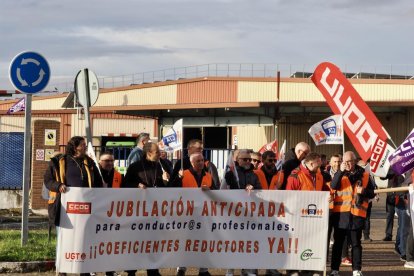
(328, 131)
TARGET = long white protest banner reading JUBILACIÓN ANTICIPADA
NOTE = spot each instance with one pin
(121, 229)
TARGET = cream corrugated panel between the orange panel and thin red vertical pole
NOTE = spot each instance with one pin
(249, 91)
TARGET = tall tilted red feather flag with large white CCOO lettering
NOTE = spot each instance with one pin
(361, 125)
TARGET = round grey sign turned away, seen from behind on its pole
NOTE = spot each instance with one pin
(86, 87)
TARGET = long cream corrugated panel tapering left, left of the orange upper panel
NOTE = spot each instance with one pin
(145, 96)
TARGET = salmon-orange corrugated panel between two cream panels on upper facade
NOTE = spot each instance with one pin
(215, 91)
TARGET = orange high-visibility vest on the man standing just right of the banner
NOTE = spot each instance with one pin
(345, 199)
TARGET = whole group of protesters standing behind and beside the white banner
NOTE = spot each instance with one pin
(350, 186)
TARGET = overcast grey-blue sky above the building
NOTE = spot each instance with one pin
(115, 38)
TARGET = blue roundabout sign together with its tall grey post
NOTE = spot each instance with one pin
(29, 73)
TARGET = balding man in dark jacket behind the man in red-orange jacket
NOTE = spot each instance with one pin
(293, 158)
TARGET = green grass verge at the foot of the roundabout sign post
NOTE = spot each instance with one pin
(38, 248)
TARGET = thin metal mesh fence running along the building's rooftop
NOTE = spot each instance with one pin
(386, 71)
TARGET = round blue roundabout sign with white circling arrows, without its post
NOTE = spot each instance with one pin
(29, 72)
